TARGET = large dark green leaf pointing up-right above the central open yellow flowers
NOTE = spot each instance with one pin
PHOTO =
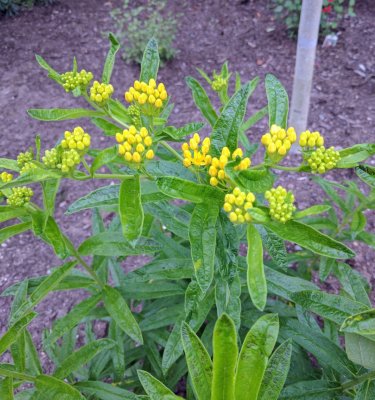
(226, 128)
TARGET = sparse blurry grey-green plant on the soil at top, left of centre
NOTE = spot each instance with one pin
(136, 24)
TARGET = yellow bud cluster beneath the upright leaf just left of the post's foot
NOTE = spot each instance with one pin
(278, 140)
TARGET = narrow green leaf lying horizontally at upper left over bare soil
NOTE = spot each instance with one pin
(61, 114)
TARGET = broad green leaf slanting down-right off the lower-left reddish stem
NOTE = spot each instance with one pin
(120, 312)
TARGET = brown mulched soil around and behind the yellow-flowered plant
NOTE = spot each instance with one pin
(211, 31)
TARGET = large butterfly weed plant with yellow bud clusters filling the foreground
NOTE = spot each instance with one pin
(180, 319)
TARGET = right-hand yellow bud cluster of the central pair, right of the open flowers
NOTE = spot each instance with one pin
(216, 170)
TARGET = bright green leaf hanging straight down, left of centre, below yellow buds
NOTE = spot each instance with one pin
(130, 208)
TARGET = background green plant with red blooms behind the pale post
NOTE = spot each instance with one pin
(288, 12)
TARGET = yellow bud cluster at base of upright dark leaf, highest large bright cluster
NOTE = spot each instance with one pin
(150, 94)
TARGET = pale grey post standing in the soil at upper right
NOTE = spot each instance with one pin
(308, 33)
